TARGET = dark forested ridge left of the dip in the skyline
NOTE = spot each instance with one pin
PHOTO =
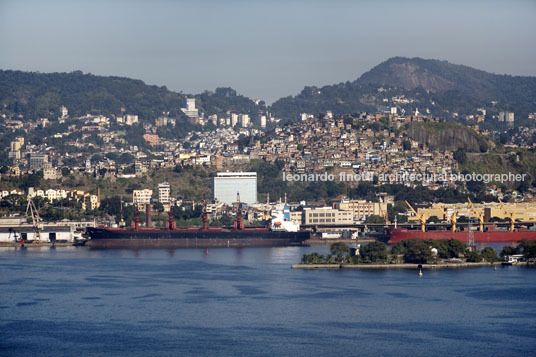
(35, 95)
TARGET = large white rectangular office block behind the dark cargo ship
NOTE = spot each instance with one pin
(226, 186)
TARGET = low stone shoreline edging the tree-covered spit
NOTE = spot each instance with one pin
(400, 266)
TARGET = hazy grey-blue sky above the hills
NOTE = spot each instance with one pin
(263, 49)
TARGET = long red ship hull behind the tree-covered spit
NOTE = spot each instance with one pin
(487, 236)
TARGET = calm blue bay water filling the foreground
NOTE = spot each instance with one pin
(249, 302)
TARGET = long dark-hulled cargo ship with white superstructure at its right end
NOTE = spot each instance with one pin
(280, 233)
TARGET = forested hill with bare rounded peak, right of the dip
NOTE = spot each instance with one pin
(438, 85)
